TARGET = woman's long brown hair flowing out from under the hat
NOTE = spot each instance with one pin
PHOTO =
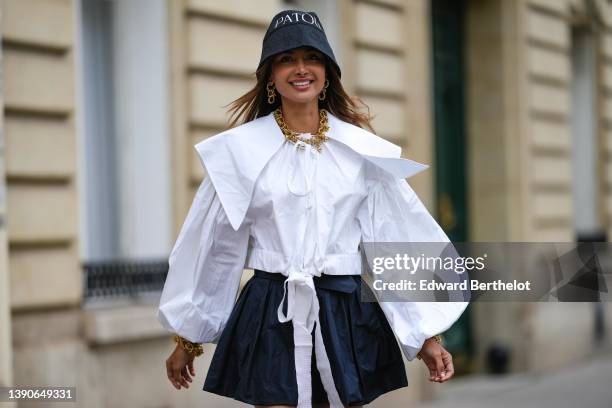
(254, 104)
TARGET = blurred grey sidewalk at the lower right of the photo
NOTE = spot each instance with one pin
(587, 384)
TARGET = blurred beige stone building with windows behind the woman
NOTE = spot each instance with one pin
(103, 100)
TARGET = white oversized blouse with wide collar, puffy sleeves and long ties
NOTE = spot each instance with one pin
(285, 208)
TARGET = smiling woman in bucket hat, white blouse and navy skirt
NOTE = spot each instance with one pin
(292, 193)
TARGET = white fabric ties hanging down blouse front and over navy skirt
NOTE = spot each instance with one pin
(302, 301)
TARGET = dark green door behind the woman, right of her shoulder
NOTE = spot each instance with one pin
(448, 18)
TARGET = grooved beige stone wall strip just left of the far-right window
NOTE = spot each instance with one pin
(547, 72)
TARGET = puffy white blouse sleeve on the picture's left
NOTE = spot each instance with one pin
(205, 267)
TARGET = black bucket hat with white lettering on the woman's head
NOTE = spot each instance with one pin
(293, 29)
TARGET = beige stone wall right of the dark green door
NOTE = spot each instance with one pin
(519, 98)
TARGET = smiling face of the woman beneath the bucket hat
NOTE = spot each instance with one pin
(299, 74)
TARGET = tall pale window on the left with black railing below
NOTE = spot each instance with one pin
(125, 149)
